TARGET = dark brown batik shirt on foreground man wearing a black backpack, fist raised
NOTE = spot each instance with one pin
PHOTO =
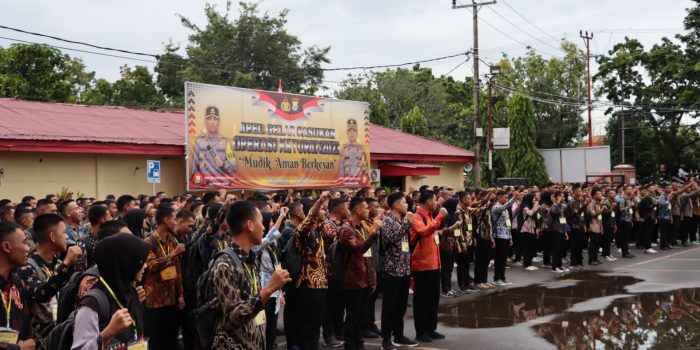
(237, 289)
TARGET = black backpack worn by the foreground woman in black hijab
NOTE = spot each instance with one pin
(61, 336)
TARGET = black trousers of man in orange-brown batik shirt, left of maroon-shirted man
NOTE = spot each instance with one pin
(302, 327)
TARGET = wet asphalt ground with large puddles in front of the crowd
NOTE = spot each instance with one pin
(649, 301)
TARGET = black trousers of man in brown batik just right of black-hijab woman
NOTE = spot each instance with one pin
(161, 325)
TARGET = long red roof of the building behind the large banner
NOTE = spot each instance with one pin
(90, 126)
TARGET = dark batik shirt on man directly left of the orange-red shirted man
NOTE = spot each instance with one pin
(396, 255)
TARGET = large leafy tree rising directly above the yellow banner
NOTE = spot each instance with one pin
(254, 50)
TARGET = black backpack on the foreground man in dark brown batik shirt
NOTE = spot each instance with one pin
(207, 312)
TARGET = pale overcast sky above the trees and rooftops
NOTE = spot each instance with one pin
(359, 32)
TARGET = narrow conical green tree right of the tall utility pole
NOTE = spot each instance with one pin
(523, 159)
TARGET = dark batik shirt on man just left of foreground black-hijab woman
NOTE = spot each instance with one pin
(43, 280)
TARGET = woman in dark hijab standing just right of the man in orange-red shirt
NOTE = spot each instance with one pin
(448, 245)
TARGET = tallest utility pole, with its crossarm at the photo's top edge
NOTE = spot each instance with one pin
(477, 114)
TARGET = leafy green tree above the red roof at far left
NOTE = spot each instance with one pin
(36, 72)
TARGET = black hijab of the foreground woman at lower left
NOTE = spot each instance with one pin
(119, 259)
